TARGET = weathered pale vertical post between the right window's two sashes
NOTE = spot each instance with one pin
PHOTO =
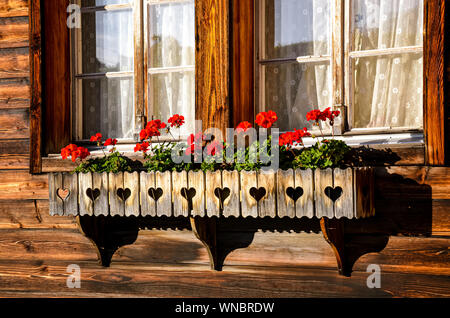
(337, 62)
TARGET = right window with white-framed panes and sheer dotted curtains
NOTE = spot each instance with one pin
(364, 54)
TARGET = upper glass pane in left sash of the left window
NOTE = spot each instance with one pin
(107, 41)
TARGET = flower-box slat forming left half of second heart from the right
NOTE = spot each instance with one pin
(285, 203)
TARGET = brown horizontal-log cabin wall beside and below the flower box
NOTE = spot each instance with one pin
(35, 249)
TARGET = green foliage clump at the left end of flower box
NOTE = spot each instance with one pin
(114, 163)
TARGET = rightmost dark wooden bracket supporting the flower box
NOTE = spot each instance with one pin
(348, 248)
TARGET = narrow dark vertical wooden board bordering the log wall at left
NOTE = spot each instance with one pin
(35, 86)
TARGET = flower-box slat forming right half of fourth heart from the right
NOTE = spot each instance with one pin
(232, 204)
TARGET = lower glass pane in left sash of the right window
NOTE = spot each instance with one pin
(292, 90)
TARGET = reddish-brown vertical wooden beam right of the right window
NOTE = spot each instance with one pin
(435, 120)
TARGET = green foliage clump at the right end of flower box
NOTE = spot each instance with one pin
(325, 154)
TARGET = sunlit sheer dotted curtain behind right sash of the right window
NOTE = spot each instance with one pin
(388, 89)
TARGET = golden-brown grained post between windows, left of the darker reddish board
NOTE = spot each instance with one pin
(212, 65)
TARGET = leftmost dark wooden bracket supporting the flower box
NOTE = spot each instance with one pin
(108, 234)
